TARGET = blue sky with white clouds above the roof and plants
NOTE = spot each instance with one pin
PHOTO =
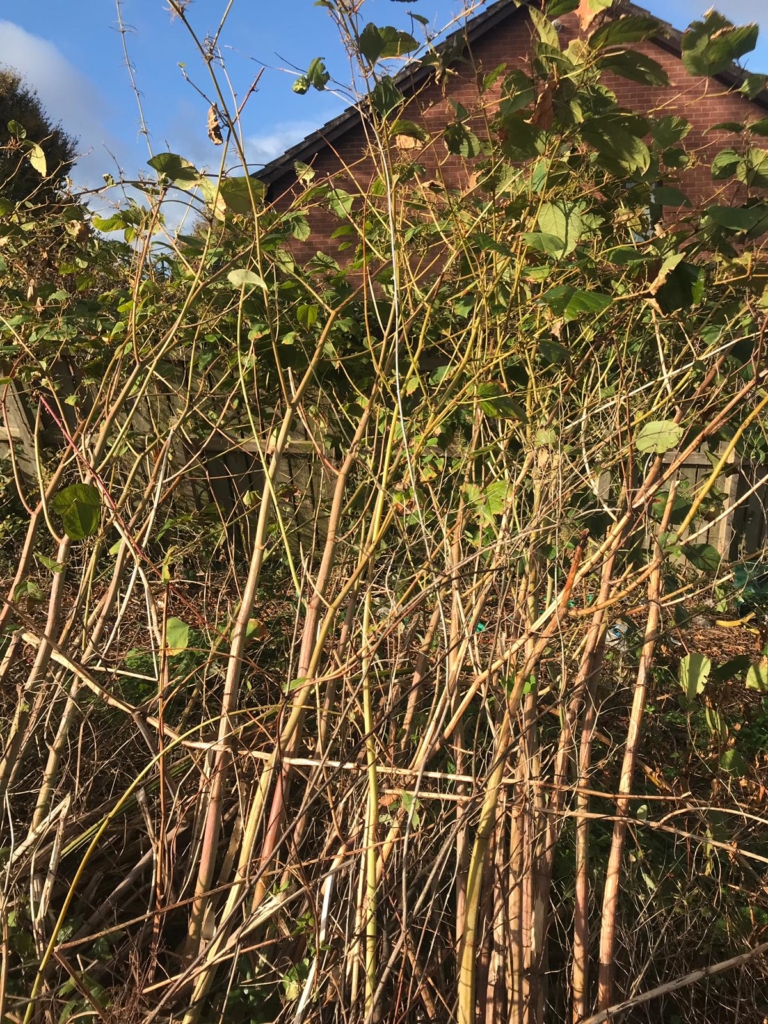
(72, 52)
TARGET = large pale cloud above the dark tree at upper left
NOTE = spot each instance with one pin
(69, 98)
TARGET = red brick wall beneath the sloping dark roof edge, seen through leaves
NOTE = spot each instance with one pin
(703, 102)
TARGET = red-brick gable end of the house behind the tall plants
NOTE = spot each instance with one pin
(503, 34)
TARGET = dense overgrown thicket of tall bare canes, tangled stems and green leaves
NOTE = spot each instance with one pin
(354, 658)
